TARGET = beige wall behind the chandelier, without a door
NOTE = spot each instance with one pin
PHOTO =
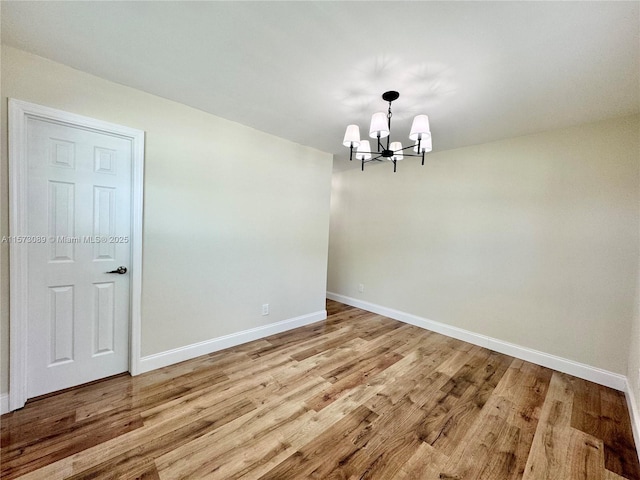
(532, 240)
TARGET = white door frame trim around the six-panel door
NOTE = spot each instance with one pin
(19, 113)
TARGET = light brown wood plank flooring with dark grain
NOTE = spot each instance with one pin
(359, 396)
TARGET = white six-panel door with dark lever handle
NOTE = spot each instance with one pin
(79, 221)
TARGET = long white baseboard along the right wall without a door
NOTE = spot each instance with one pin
(577, 369)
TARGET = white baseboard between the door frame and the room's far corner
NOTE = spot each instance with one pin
(163, 359)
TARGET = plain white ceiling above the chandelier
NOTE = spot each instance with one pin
(482, 71)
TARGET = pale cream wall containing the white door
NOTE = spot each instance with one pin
(233, 217)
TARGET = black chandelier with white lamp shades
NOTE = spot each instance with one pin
(381, 128)
